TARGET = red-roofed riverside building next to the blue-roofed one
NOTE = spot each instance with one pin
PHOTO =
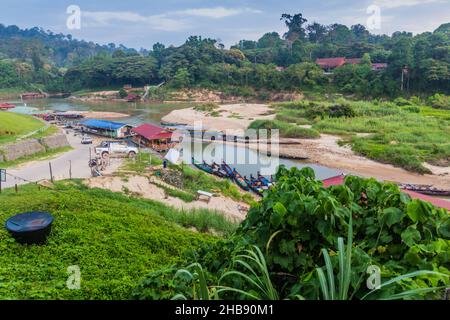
(155, 137)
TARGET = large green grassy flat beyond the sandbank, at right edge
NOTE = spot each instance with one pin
(402, 136)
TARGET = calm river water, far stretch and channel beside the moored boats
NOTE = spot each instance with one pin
(244, 160)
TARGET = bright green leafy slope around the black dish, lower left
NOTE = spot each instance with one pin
(113, 240)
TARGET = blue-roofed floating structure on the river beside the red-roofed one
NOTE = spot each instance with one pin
(107, 128)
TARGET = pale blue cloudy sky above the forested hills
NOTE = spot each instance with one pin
(141, 23)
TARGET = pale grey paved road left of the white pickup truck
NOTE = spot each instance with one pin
(39, 170)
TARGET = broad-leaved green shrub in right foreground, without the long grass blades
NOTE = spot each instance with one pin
(299, 217)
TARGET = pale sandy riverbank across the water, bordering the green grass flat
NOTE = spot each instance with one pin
(324, 151)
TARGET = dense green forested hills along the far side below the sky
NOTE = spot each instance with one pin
(274, 62)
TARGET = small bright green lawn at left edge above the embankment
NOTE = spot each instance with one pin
(13, 126)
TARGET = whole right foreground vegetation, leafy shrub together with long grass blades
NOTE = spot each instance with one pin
(295, 236)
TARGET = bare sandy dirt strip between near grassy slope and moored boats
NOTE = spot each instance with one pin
(142, 185)
